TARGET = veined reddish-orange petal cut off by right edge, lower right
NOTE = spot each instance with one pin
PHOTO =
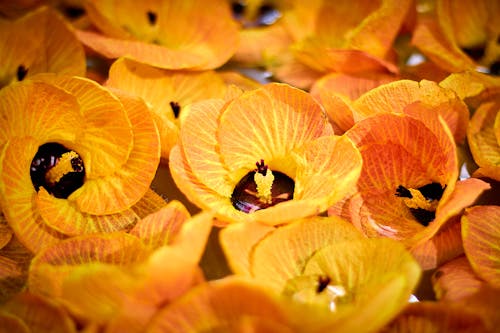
(481, 234)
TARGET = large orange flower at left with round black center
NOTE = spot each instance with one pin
(91, 155)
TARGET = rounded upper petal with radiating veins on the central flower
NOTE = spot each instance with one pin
(267, 124)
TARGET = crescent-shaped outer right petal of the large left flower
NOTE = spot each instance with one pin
(129, 183)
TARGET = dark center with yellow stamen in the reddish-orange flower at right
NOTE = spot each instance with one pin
(422, 202)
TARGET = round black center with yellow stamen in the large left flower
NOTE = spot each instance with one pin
(57, 169)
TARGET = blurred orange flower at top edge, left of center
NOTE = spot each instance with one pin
(173, 34)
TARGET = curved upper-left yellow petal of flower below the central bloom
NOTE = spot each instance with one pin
(282, 254)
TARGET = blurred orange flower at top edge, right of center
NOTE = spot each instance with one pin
(346, 39)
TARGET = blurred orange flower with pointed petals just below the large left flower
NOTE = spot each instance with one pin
(119, 280)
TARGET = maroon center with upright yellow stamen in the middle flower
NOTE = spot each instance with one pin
(262, 188)
